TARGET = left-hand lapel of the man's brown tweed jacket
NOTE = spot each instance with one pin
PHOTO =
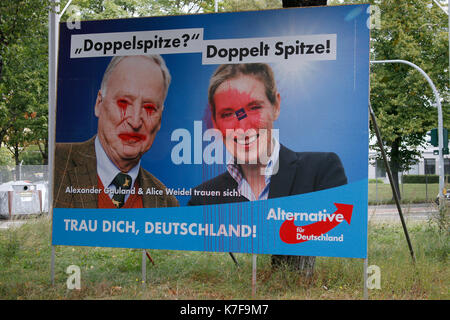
(84, 173)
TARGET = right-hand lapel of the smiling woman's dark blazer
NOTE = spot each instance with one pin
(281, 183)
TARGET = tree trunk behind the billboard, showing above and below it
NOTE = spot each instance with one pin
(304, 264)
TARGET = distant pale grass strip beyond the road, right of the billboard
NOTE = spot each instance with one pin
(410, 193)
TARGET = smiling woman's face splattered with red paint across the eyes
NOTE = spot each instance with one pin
(247, 139)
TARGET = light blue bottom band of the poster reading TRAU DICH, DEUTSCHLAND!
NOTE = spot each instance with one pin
(260, 237)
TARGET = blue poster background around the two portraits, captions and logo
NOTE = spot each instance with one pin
(324, 107)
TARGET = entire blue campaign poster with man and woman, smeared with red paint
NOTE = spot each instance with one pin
(229, 132)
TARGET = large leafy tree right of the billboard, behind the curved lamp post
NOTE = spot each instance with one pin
(416, 31)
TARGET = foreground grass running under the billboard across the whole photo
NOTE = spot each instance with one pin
(111, 273)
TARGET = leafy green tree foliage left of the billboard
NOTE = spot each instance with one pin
(23, 86)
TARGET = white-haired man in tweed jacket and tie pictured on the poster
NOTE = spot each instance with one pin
(105, 171)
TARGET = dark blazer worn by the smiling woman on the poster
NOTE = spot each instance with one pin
(298, 172)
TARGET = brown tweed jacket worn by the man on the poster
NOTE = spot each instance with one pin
(76, 166)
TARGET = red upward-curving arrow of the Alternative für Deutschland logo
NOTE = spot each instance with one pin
(290, 233)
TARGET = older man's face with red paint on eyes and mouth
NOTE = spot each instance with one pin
(130, 111)
